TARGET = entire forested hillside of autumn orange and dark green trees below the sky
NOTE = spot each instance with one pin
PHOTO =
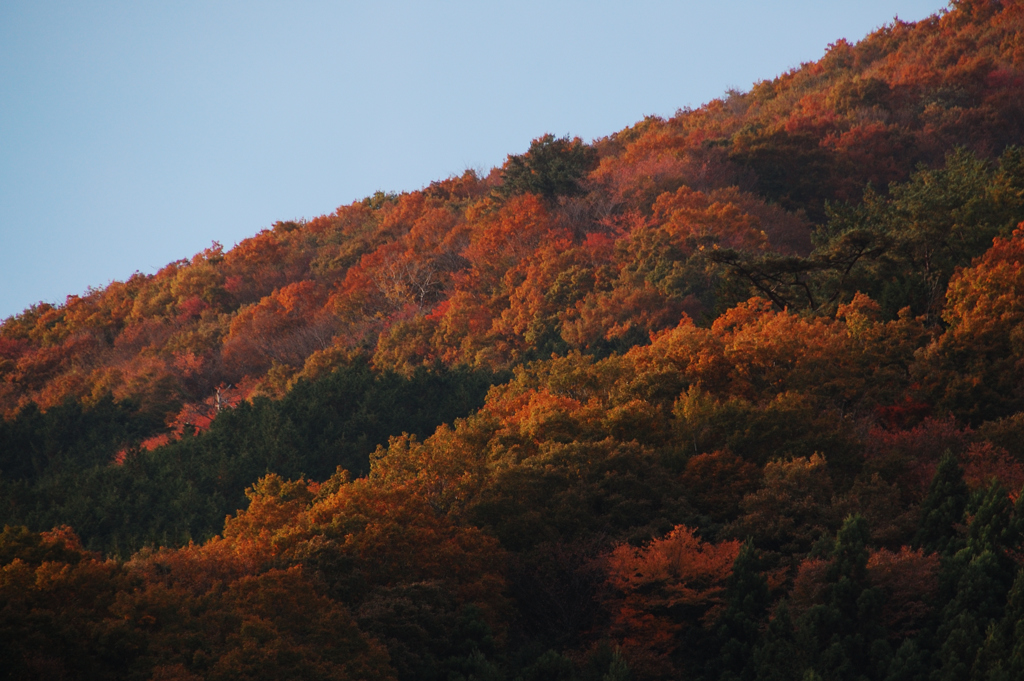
(735, 396)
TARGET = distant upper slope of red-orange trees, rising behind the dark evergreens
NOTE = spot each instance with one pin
(483, 272)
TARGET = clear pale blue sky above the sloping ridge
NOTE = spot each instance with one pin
(137, 134)
